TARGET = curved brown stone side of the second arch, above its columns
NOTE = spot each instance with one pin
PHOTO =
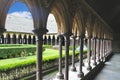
(59, 12)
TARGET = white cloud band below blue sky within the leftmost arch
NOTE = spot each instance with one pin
(24, 14)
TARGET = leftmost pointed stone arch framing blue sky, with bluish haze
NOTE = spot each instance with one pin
(7, 4)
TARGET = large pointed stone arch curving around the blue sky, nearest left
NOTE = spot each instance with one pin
(7, 4)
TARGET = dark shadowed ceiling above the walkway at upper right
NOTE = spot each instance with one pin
(109, 10)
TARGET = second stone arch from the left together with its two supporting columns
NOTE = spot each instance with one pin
(60, 13)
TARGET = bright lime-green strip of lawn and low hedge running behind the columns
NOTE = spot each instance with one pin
(48, 55)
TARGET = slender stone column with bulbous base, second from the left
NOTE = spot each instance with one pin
(60, 74)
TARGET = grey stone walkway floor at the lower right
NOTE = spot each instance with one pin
(111, 71)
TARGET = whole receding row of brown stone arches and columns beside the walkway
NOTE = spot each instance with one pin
(78, 22)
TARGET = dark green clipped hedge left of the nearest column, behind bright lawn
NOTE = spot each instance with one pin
(12, 52)
